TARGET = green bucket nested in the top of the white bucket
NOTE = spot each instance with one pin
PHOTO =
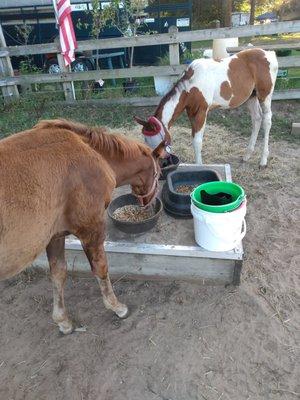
(236, 191)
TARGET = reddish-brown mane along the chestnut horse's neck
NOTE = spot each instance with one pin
(100, 139)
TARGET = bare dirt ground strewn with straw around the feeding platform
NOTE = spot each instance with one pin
(182, 341)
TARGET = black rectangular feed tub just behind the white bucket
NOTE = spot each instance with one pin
(176, 204)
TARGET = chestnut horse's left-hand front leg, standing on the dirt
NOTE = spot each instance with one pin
(58, 269)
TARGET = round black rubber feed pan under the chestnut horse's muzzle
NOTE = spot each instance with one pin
(133, 227)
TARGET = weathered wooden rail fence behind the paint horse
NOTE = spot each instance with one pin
(9, 82)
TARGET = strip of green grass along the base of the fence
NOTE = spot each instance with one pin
(25, 113)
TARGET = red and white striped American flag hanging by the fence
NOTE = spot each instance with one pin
(67, 37)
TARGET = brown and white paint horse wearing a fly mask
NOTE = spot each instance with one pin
(249, 76)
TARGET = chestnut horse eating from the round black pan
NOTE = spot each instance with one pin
(57, 179)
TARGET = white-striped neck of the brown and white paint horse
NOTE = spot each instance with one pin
(170, 107)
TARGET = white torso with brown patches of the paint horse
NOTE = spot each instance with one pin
(230, 82)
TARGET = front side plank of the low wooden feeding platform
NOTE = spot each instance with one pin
(155, 267)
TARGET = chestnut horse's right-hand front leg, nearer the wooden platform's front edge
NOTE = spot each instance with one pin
(94, 249)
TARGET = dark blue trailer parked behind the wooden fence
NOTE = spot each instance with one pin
(39, 15)
